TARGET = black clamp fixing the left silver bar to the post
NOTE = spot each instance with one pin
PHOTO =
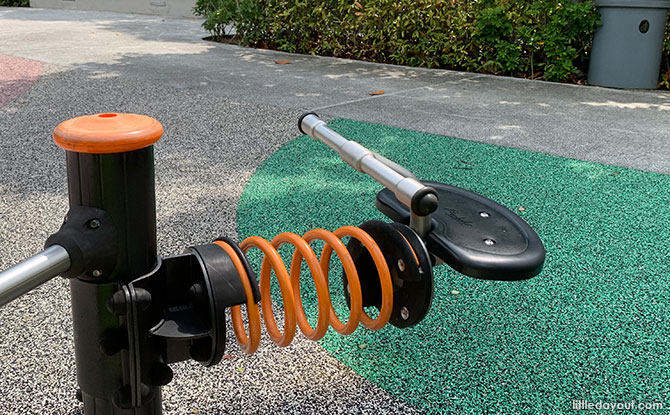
(89, 237)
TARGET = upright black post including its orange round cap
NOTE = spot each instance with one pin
(122, 185)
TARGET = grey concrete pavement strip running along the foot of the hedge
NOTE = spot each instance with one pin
(627, 128)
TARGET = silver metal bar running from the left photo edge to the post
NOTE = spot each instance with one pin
(34, 271)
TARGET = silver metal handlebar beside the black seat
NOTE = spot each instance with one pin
(393, 176)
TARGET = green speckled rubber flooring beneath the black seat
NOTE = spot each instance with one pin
(594, 325)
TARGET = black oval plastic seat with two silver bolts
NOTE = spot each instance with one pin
(475, 235)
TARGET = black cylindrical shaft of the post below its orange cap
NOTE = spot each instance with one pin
(122, 184)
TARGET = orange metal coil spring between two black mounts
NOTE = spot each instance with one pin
(289, 284)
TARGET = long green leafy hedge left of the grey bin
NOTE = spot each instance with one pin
(544, 39)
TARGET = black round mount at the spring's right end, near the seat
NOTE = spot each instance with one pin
(410, 267)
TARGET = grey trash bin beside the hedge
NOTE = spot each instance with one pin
(627, 47)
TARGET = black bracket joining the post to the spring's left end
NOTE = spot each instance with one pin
(190, 293)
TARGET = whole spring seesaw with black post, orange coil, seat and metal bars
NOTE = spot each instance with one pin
(134, 312)
